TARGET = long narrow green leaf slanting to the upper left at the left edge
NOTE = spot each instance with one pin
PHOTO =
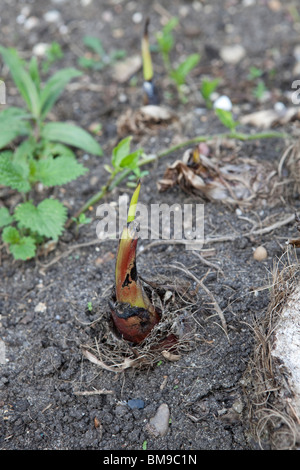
(22, 79)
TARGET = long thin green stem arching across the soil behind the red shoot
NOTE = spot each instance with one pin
(116, 178)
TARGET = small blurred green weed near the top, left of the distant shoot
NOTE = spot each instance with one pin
(97, 58)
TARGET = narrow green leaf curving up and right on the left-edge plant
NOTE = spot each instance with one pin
(54, 87)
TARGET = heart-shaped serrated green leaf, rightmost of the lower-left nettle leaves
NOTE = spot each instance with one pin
(47, 219)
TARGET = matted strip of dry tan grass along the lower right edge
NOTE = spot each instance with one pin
(273, 419)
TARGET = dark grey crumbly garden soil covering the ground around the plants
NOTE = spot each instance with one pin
(51, 395)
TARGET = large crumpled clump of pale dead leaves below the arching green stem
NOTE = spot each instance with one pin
(240, 181)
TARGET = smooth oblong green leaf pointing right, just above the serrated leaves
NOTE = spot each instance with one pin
(71, 135)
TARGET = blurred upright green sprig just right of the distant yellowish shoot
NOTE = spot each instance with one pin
(179, 73)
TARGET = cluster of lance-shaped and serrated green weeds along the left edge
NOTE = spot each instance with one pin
(42, 155)
